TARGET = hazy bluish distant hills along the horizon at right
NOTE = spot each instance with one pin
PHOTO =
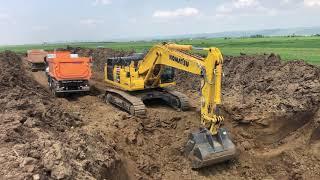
(267, 32)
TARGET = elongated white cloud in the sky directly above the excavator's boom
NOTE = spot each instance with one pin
(181, 12)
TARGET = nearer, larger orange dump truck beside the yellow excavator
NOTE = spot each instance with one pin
(68, 72)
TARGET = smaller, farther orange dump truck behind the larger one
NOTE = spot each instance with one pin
(36, 58)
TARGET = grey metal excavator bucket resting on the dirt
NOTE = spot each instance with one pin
(205, 149)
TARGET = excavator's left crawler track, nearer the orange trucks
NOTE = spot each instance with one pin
(125, 101)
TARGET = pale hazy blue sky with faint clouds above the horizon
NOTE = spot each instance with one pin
(36, 21)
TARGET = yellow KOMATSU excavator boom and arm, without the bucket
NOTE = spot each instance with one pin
(209, 68)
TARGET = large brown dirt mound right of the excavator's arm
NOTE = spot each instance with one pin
(280, 97)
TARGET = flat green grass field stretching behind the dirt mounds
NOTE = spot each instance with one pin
(290, 48)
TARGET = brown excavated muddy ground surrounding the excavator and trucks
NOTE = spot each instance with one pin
(271, 110)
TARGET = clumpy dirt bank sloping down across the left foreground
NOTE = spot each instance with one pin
(40, 140)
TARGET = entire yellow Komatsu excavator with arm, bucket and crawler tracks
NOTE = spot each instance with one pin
(142, 77)
